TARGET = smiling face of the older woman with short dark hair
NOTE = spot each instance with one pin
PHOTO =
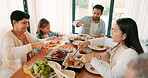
(21, 25)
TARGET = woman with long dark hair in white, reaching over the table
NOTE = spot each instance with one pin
(125, 45)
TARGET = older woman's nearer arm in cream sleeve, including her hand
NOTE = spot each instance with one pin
(13, 50)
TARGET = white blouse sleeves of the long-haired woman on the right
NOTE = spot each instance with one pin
(105, 69)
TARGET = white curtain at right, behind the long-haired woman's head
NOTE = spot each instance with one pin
(138, 9)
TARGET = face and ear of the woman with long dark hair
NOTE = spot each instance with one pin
(117, 35)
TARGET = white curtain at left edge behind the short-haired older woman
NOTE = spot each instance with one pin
(6, 7)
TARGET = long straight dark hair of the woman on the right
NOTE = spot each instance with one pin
(129, 26)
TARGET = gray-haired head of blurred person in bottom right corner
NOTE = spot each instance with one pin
(140, 65)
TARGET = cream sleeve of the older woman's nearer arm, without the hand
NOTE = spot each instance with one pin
(11, 52)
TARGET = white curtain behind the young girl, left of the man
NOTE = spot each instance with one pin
(57, 12)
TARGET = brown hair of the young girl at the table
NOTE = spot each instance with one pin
(42, 24)
